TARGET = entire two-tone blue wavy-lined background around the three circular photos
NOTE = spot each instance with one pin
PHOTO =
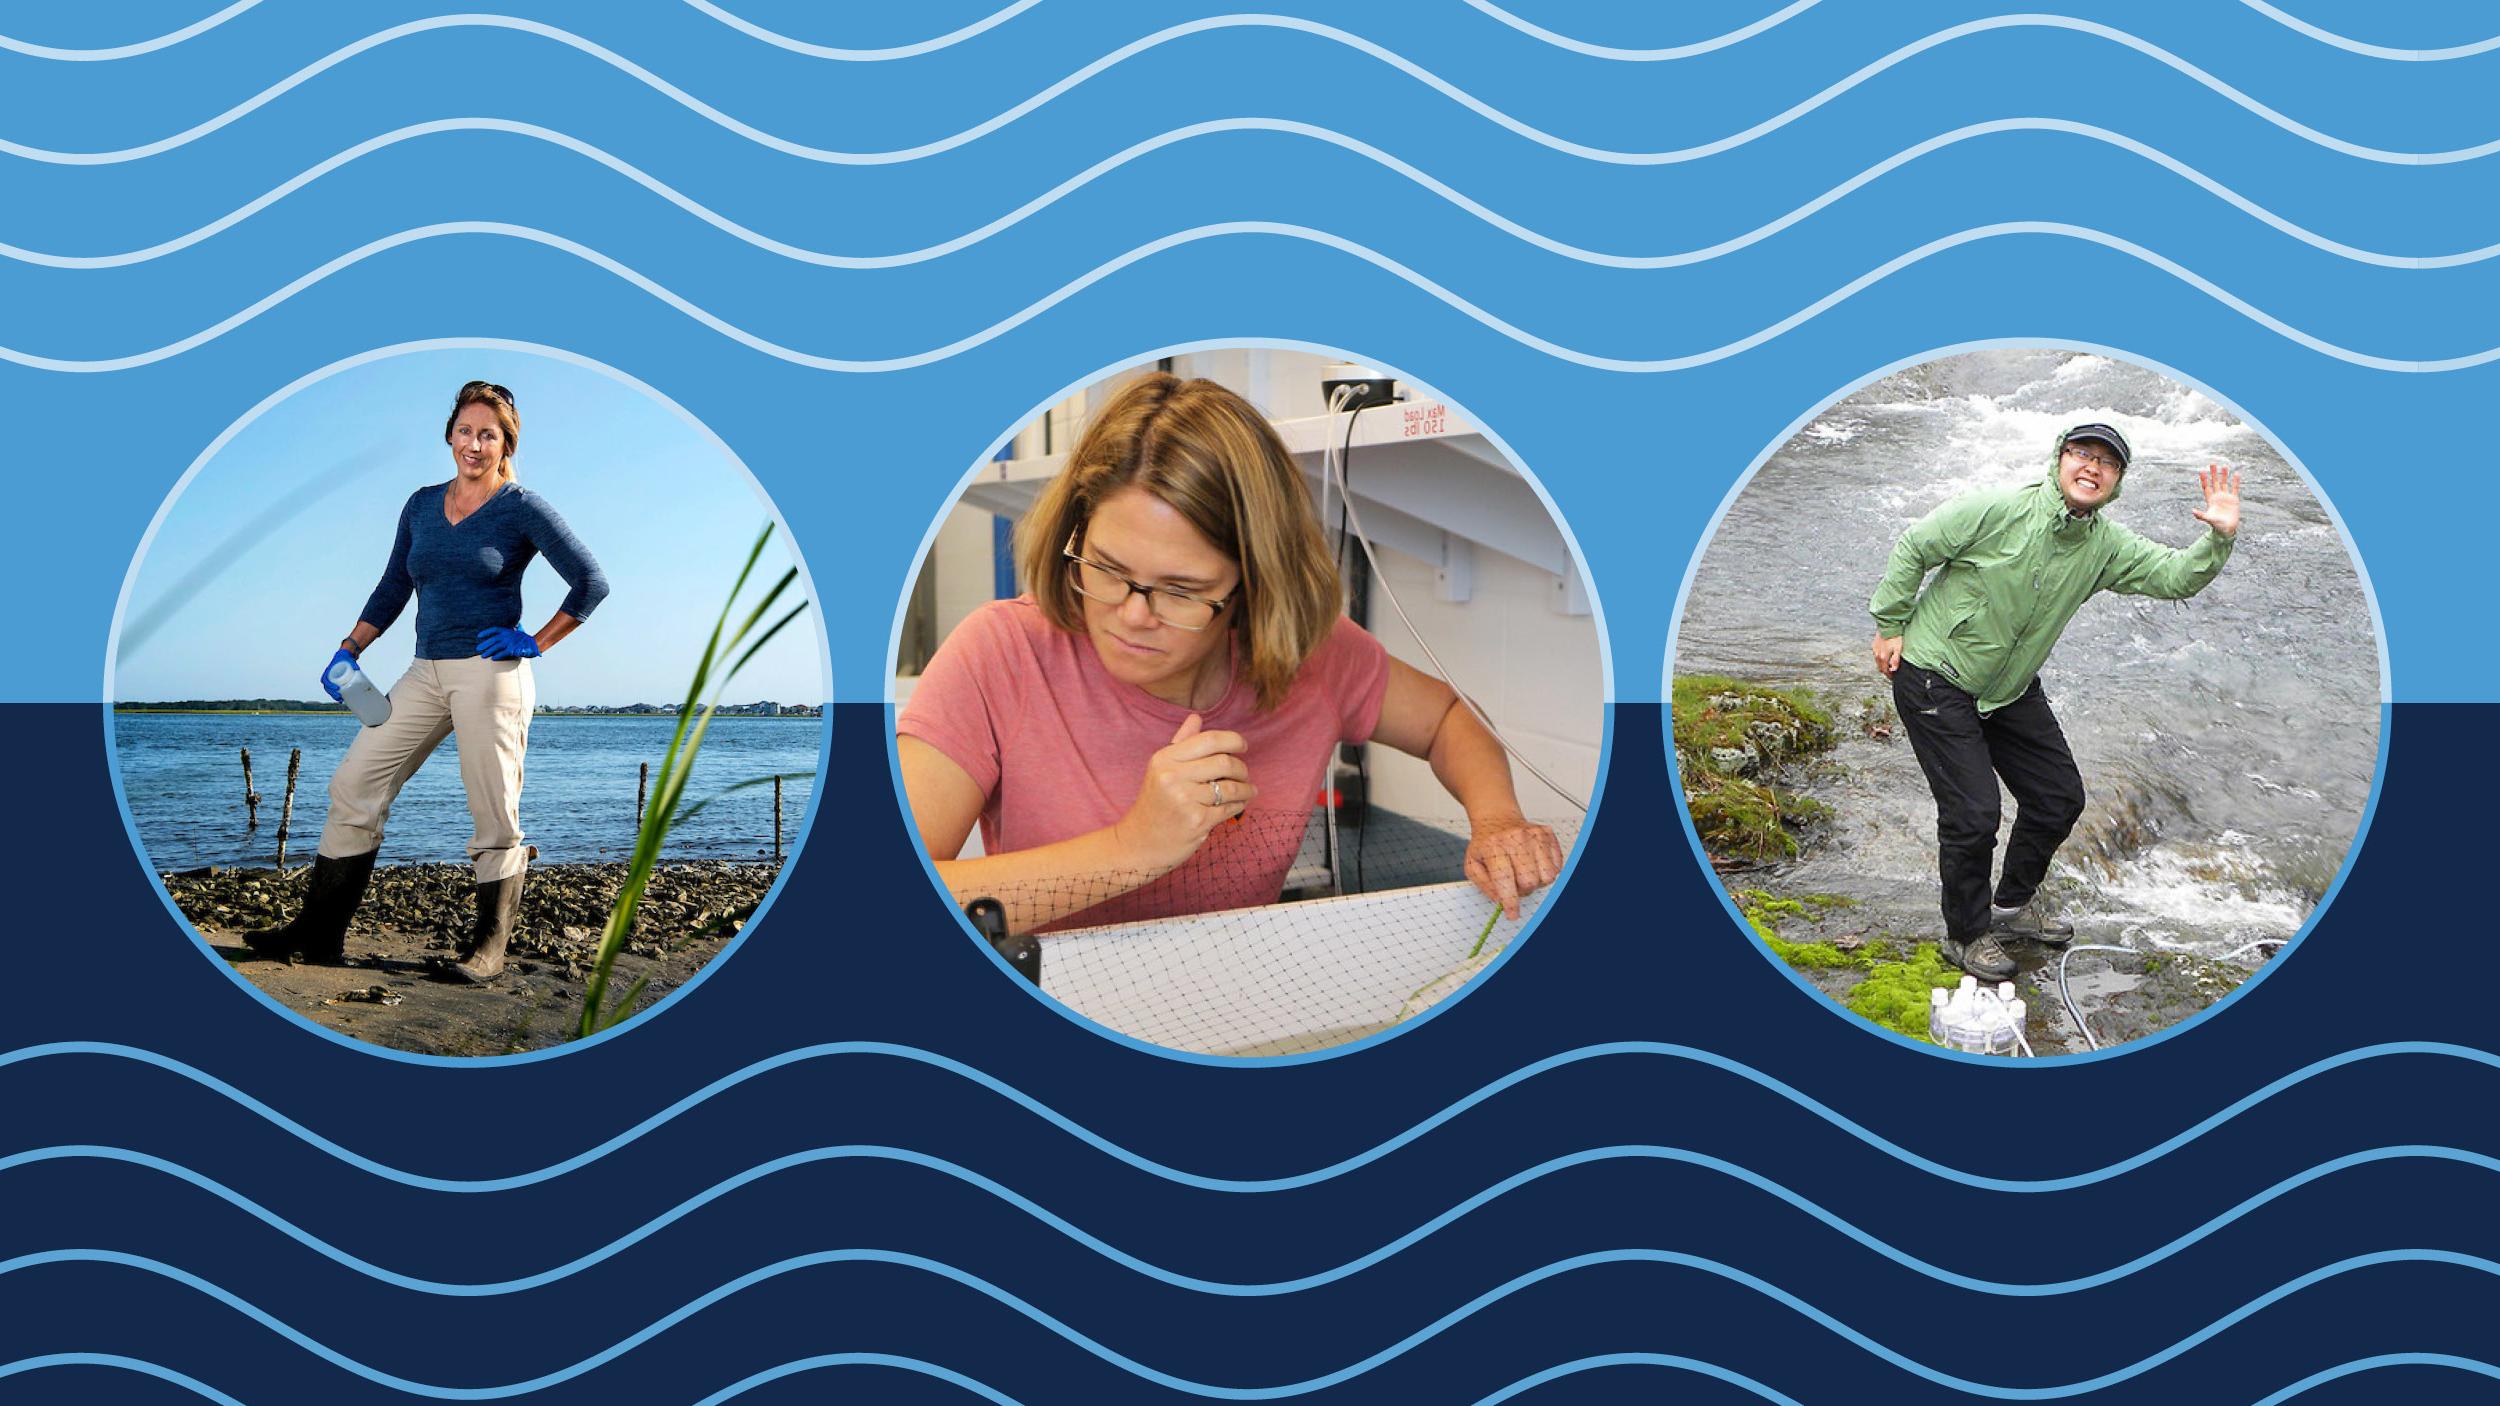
(2291, 219)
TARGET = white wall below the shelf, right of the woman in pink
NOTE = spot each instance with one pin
(1531, 667)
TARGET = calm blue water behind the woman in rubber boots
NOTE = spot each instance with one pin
(184, 779)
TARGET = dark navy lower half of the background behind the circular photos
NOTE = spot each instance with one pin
(1631, 952)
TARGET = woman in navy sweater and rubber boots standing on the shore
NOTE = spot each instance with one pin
(461, 552)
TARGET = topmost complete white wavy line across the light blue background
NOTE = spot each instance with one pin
(1214, 24)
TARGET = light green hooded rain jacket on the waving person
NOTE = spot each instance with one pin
(2016, 567)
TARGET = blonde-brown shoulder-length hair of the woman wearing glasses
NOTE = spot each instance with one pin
(1216, 462)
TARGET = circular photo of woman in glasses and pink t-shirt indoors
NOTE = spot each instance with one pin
(1249, 702)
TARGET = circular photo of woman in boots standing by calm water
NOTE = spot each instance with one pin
(369, 567)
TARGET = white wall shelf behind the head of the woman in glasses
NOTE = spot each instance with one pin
(1426, 484)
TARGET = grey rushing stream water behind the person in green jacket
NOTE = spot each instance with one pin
(2226, 742)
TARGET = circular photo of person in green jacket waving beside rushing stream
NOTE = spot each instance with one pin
(2026, 702)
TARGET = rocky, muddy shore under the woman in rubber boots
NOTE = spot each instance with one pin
(414, 919)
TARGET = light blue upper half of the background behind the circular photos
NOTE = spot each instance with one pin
(861, 459)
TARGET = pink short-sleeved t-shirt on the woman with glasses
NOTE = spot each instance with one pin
(1059, 747)
